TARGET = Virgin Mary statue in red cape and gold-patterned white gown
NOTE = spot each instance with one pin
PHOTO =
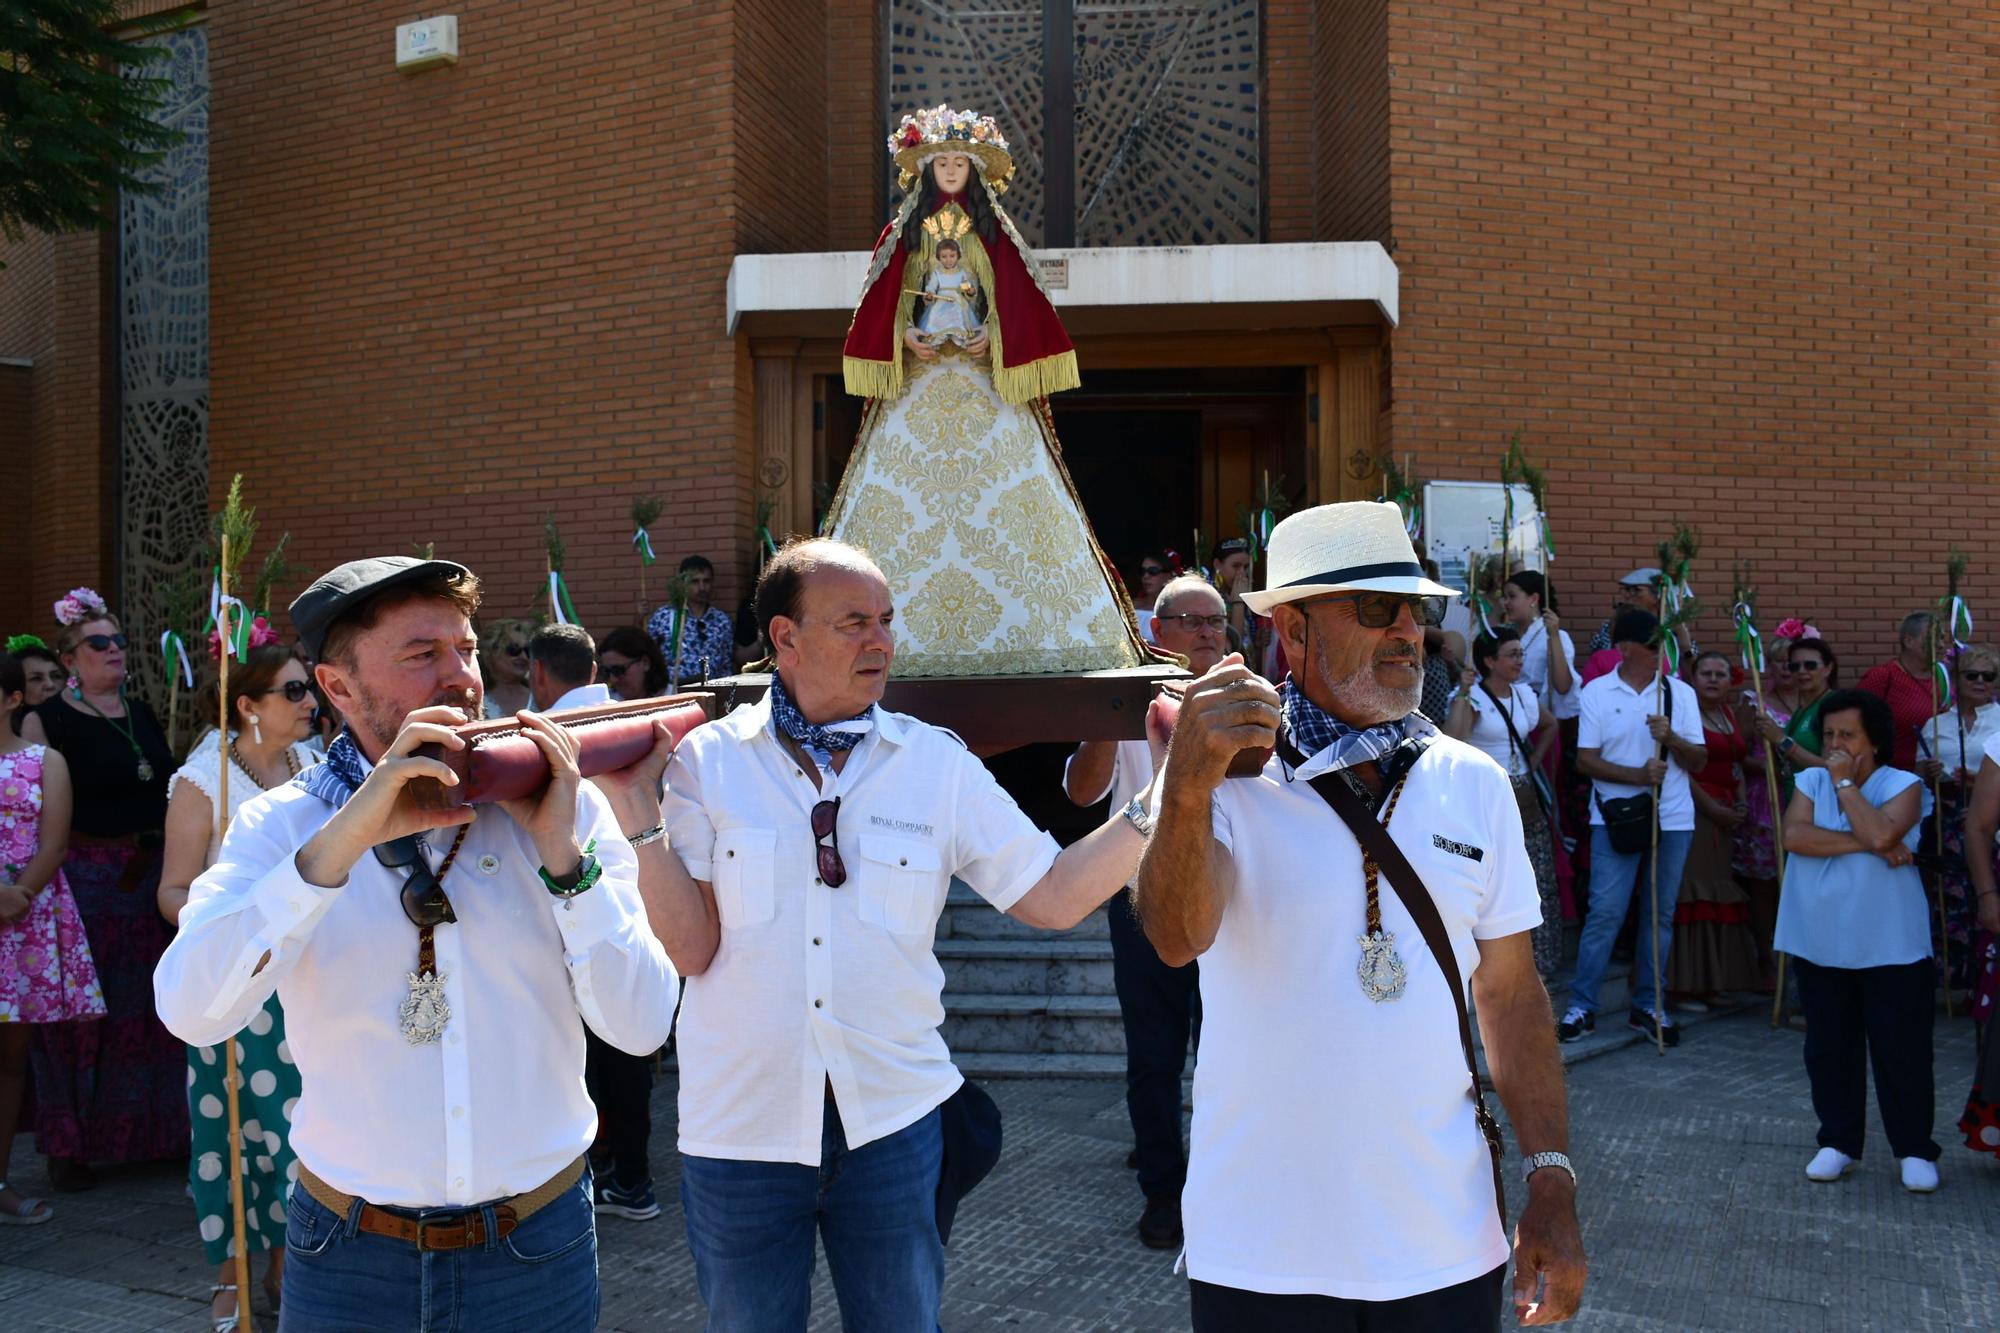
(957, 483)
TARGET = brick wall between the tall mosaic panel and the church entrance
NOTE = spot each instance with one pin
(449, 305)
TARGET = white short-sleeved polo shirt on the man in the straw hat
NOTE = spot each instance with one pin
(1335, 1148)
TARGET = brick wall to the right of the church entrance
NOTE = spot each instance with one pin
(1729, 263)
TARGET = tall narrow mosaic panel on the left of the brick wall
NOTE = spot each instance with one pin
(163, 363)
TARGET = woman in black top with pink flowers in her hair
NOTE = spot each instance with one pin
(111, 1090)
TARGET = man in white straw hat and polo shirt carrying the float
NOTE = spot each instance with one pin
(1341, 1170)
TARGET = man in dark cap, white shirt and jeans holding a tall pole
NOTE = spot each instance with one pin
(1635, 742)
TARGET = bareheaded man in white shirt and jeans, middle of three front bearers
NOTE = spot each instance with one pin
(819, 838)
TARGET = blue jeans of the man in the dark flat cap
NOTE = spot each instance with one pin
(541, 1276)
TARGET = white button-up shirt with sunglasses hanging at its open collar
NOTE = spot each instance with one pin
(821, 988)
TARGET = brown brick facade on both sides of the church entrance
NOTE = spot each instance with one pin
(1727, 265)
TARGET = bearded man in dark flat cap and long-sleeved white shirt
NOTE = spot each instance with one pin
(437, 992)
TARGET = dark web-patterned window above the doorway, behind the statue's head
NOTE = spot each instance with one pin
(1167, 109)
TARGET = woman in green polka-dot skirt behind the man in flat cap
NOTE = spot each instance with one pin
(271, 712)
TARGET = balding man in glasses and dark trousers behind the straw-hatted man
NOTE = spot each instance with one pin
(1161, 1006)
